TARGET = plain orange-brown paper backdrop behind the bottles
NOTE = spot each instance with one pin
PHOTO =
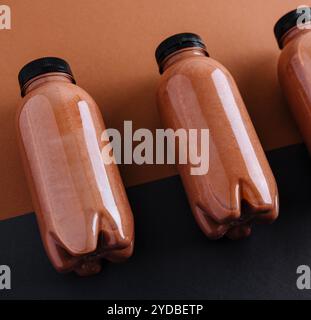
(110, 46)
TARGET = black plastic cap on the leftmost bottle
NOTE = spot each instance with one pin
(41, 66)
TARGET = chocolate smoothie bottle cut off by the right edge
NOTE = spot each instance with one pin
(294, 69)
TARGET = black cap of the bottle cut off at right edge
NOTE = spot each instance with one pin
(289, 21)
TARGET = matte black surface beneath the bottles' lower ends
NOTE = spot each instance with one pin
(172, 258)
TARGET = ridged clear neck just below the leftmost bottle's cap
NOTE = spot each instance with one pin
(44, 78)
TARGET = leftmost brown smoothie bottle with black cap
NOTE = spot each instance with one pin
(80, 202)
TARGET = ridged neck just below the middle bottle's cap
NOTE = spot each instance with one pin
(181, 55)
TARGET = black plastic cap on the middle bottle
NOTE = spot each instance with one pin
(177, 42)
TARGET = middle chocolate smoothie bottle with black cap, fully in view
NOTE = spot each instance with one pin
(196, 92)
